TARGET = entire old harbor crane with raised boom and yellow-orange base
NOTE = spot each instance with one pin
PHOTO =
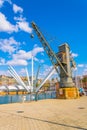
(64, 61)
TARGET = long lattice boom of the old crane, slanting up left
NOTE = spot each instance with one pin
(54, 59)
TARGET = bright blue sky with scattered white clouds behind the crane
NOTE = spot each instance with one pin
(61, 20)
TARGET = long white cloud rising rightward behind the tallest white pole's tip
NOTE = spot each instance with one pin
(21, 57)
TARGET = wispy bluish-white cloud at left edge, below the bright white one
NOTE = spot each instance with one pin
(9, 45)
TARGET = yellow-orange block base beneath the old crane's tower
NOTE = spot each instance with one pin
(68, 93)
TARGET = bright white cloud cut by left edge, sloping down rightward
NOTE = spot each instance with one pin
(5, 25)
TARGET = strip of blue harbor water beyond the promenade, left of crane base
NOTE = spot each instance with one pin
(25, 98)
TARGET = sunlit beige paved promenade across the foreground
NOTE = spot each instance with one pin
(50, 114)
